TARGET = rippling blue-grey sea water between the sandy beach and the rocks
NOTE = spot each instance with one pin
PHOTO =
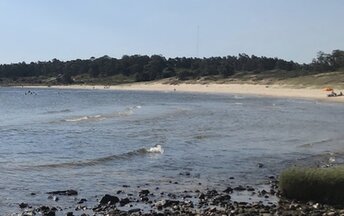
(96, 141)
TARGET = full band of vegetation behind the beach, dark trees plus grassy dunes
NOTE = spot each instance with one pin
(107, 70)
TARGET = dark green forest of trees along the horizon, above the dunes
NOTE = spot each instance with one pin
(146, 68)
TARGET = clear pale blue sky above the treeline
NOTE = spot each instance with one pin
(41, 30)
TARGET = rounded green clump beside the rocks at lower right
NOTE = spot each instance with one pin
(324, 185)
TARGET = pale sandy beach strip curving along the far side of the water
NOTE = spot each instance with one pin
(278, 91)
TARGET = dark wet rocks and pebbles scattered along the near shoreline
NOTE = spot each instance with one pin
(208, 202)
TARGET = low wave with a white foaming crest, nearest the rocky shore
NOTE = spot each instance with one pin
(157, 149)
